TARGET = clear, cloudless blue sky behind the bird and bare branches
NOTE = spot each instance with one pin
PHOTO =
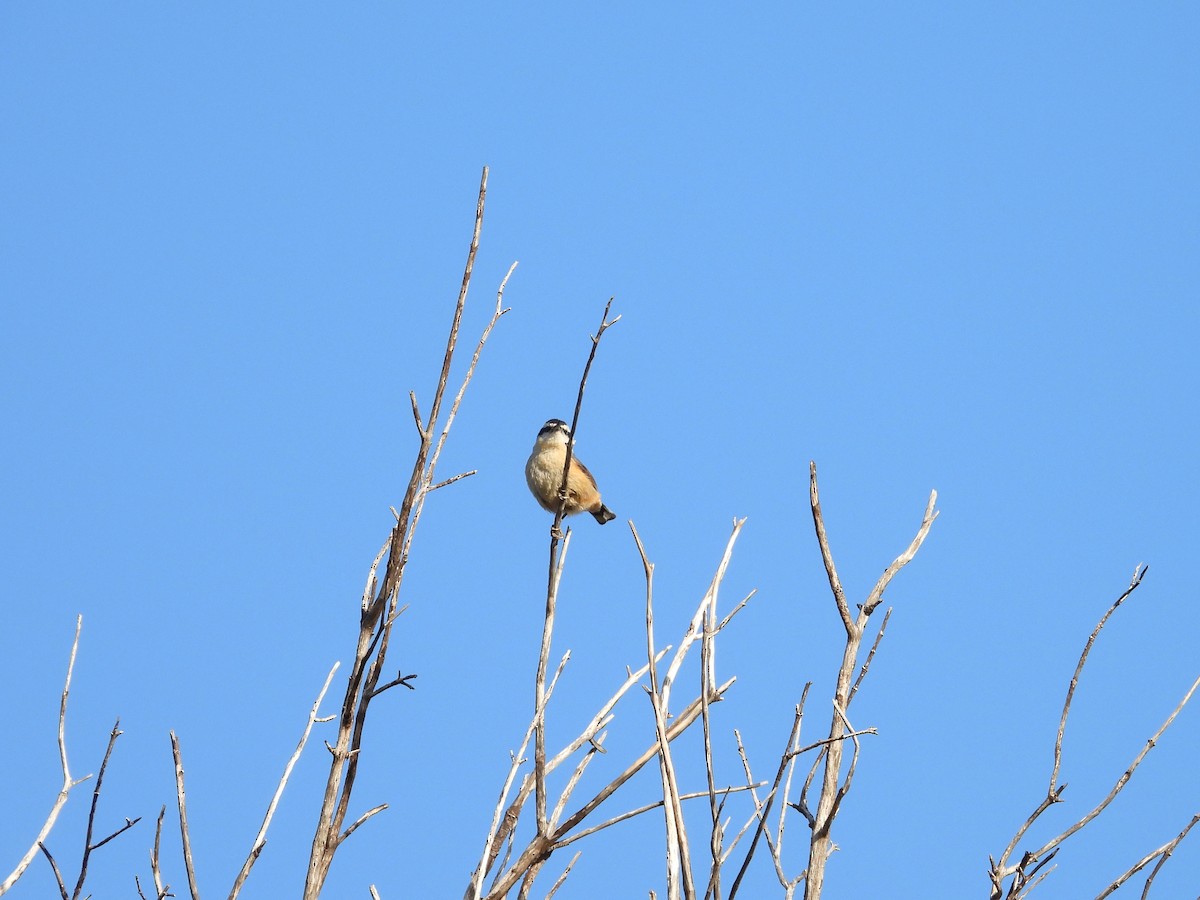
(937, 247)
